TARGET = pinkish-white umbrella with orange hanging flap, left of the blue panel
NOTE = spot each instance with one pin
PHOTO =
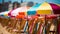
(19, 12)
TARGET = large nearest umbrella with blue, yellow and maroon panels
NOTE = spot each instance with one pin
(45, 8)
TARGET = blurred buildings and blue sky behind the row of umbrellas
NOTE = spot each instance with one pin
(6, 5)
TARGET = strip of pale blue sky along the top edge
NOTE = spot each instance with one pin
(37, 1)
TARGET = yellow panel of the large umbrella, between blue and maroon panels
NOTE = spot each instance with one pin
(45, 8)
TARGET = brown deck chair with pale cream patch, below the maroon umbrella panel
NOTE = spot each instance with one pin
(52, 25)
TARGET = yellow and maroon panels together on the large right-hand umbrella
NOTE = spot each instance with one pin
(48, 8)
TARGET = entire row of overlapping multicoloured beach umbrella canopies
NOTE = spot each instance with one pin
(42, 9)
